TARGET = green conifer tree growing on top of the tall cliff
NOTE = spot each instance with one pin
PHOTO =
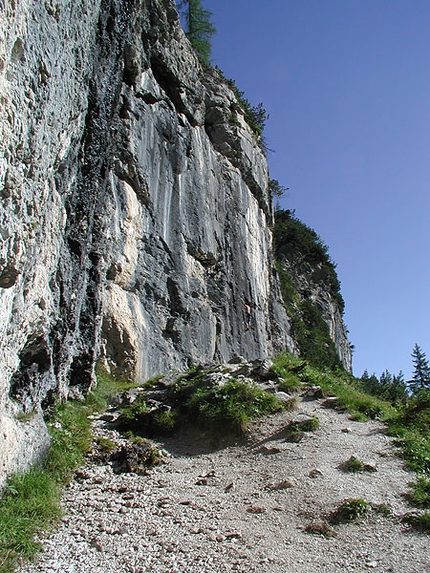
(199, 28)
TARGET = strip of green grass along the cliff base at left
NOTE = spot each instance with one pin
(30, 502)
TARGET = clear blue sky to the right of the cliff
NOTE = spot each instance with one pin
(347, 87)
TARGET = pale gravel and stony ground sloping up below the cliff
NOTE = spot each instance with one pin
(259, 505)
